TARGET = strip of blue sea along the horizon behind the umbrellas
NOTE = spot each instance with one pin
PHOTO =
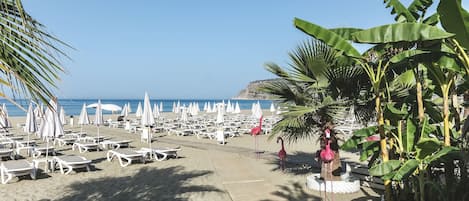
(73, 106)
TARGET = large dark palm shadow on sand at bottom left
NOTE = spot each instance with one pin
(148, 184)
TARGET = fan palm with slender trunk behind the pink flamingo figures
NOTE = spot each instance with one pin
(315, 92)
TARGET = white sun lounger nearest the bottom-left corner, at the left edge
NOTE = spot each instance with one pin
(9, 169)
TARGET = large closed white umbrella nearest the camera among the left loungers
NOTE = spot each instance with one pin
(51, 126)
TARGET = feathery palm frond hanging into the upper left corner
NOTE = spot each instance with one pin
(29, 56)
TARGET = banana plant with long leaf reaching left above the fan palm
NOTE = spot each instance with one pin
(386, 34)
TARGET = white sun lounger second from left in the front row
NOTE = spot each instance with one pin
(72, 162)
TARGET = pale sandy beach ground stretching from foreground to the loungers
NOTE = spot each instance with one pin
(204, 171)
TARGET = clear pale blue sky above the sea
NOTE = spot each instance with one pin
(184, 49)
